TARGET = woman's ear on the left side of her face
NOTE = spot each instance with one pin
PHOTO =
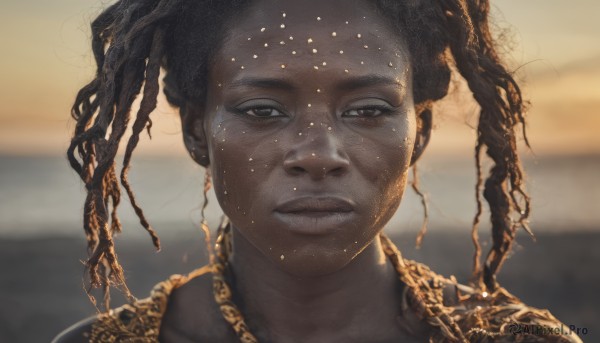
(194, 137)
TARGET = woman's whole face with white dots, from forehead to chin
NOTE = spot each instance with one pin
(310, 127)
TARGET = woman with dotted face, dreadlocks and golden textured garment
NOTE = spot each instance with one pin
(308, 115)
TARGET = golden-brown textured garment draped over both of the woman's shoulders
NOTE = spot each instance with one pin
(497, 317)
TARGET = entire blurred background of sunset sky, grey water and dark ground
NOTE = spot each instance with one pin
(553, 46)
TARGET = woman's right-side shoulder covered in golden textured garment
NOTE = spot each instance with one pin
(497, 316)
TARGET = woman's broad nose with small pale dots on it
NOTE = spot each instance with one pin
(318, 155)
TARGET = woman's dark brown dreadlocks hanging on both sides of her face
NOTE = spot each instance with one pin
(133, 40)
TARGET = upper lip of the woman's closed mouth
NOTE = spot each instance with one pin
(315, 205)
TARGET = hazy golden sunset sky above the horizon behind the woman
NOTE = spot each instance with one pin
(44, 47)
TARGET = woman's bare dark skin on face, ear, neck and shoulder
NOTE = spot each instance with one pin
(309, 164)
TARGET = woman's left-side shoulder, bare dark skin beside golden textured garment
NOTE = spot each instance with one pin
(175, 310)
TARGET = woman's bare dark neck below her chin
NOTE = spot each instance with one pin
(361, 298)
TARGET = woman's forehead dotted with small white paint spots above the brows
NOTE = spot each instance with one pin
(287, 35)
